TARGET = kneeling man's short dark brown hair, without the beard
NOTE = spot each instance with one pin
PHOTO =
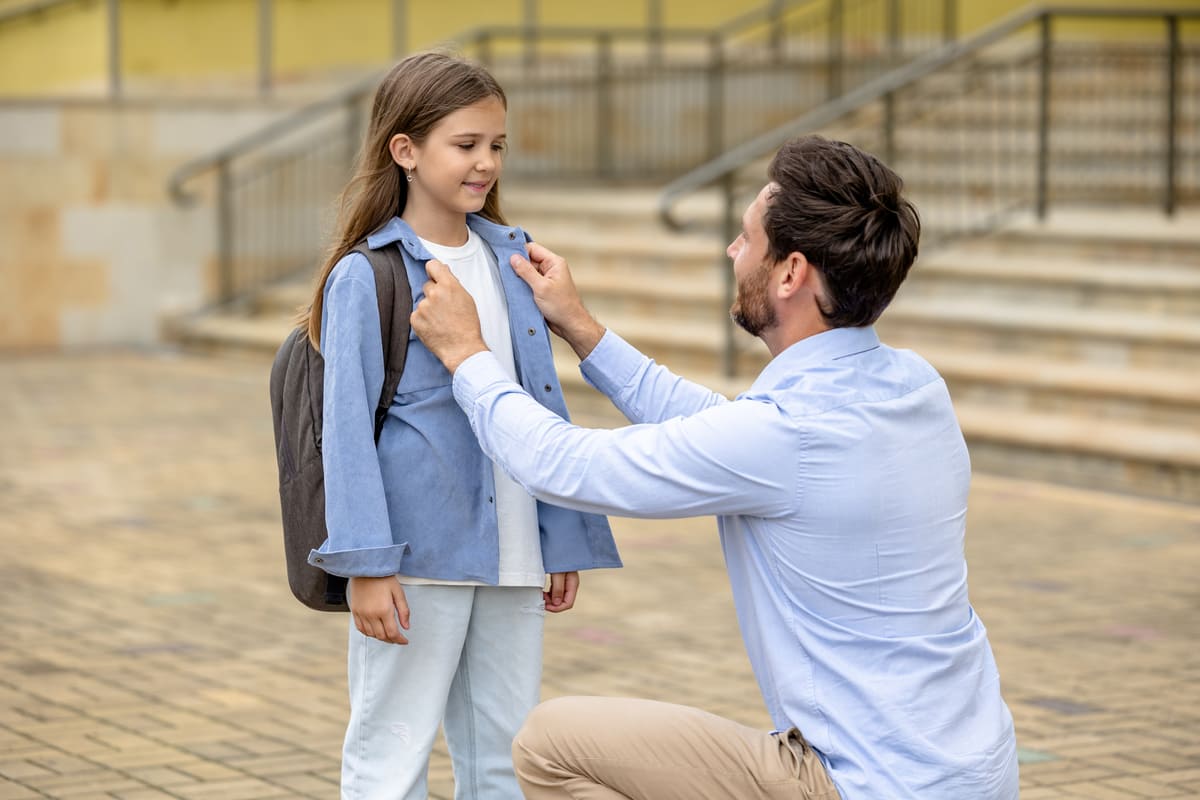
(842, 208)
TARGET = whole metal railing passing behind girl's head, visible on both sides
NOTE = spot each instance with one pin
(635, 105)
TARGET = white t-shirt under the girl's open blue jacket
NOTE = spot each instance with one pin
(517, 513)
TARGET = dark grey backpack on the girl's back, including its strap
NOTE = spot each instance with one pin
(297, 393)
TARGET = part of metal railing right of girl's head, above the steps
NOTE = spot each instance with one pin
(649, 104)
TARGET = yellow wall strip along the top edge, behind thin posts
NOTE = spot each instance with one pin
(65, 50)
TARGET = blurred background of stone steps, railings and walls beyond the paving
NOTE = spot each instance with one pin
(170, 169)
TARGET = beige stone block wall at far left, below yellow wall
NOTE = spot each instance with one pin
(92, 249)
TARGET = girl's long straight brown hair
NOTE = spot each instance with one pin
(415, 97)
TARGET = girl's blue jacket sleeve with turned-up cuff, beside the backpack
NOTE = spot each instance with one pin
(361, 542)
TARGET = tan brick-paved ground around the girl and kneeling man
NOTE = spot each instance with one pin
(149, 648)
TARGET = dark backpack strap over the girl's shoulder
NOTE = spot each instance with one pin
(395, 297)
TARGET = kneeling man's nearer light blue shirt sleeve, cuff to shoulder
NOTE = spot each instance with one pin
(724, 460)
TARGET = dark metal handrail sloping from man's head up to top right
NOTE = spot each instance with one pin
(729, 164)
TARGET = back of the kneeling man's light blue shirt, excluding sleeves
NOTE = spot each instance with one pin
(854, 604)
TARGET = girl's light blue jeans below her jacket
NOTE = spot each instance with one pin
(473, 665)
